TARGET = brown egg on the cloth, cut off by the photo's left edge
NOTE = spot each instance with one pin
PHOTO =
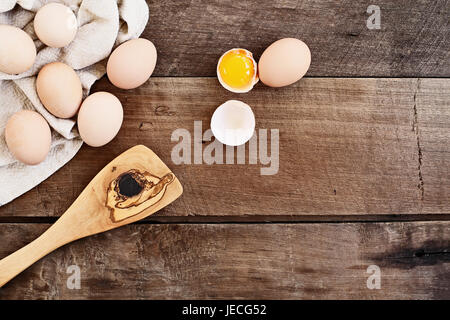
(17, 50)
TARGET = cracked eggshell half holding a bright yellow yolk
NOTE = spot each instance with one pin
(237, 71)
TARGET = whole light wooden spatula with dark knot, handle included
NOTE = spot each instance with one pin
(131, 187)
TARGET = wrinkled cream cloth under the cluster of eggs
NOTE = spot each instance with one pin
(102, 25)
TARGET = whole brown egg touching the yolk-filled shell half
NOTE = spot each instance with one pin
(284, 62)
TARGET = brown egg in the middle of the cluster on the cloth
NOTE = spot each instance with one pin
(59, 89)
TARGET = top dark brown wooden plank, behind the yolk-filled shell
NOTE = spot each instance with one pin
(413, 40)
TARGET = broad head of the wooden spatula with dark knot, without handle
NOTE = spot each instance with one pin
(133, 186)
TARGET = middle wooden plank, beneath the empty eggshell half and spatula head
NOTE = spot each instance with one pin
(347, 147)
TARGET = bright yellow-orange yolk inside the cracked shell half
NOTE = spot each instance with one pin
(237, 69)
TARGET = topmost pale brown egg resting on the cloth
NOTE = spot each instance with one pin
(55, 25)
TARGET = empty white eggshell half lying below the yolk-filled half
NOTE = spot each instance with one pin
(233, 123)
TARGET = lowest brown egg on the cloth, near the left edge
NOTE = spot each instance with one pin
(28, 137)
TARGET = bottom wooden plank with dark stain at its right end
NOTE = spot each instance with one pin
(245, 261)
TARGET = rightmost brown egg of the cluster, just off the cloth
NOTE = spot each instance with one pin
(132, 63)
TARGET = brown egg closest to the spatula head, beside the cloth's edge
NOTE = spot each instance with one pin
(100, 118)
